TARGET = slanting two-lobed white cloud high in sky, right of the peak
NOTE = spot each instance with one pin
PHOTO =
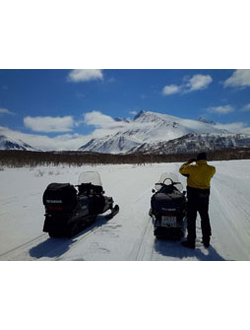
(196, 83)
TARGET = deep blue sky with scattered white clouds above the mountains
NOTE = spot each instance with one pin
(54, 103)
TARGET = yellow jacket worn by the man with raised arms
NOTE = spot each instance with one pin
(199, 175)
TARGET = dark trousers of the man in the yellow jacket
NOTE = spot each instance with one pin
(198, 201)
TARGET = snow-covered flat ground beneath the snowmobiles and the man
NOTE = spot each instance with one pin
(128, 236)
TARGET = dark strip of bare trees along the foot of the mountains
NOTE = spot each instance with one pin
(13, 158)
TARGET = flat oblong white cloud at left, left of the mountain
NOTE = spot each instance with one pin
(49, 124)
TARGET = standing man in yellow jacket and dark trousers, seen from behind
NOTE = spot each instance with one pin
(198, 192)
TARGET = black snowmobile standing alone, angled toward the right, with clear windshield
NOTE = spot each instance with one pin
(70, 209)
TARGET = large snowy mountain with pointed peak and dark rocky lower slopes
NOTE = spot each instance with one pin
(151, 132)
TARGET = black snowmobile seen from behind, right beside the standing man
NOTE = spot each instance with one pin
(168, 208)
